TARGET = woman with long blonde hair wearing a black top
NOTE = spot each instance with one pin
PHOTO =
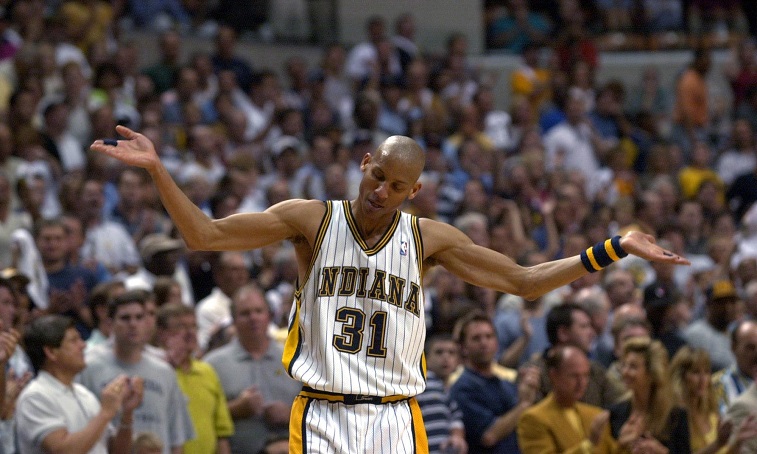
(647, 421)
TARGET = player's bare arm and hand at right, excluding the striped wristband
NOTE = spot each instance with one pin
(449, 247)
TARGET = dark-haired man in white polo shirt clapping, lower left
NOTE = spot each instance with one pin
(55, 414)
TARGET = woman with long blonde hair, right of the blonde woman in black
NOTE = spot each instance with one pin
(692, 388)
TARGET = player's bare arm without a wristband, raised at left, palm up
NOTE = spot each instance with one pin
(296, 220)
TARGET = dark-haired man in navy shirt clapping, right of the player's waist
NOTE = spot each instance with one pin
(491, 406)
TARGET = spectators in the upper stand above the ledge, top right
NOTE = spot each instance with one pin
(616, 24)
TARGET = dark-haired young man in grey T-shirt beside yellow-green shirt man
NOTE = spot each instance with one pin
(164, 409)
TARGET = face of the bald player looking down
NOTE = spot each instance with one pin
(386, 184)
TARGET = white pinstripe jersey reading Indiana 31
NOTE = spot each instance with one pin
(357, 323)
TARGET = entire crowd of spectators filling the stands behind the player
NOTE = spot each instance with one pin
(569, 163)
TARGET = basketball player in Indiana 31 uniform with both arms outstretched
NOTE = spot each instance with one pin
(357, 331)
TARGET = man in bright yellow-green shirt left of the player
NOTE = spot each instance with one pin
(177, 334)
